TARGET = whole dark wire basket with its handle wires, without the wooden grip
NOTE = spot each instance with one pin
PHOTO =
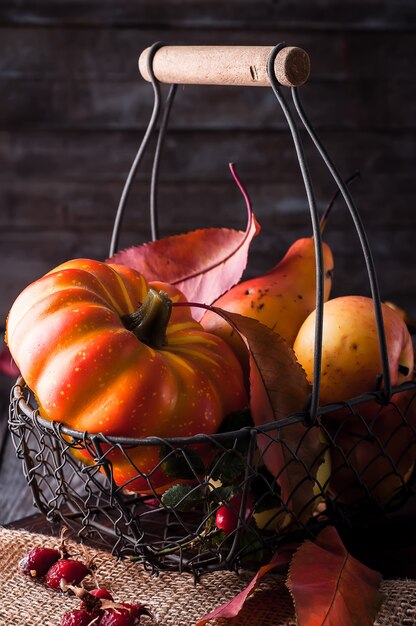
(224, 507)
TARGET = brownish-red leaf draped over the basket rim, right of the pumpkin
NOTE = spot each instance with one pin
(279, 389)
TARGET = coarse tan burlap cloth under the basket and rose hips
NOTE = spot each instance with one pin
(173, 598)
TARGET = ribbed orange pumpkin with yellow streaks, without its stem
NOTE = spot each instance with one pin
(89, 372)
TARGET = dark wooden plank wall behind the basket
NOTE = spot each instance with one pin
(73, 109)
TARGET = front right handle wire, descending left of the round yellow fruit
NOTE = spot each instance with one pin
(314, 402)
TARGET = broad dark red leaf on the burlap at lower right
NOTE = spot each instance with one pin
(330, 587)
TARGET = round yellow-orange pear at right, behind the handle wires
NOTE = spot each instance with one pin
(351, 362)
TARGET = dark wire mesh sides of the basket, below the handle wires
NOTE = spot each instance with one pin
(86, 498)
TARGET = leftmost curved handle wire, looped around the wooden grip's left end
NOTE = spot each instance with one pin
(138, 158)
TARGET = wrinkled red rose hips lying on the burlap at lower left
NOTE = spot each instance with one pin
(97, 605)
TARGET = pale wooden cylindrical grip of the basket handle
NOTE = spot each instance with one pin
(226, 65)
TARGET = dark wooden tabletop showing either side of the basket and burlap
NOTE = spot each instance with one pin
(389, 546)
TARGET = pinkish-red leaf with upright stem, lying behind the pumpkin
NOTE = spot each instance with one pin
(203, 264)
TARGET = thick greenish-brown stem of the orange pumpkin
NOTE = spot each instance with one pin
(150, 321)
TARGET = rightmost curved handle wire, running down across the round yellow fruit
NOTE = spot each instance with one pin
(375, 291)
